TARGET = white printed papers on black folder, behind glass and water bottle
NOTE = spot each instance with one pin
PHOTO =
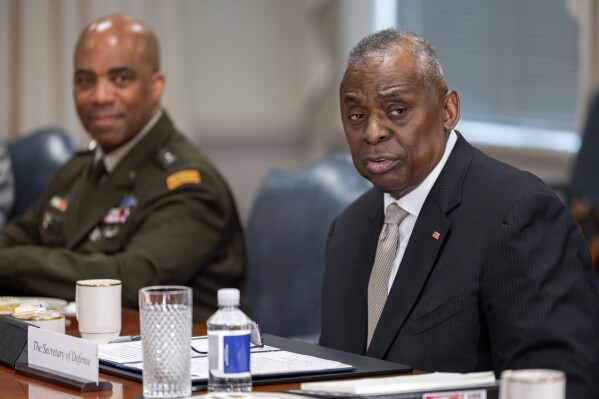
(264, 361)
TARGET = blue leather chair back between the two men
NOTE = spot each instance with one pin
(286, 238)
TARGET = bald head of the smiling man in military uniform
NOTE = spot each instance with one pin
(117, 83)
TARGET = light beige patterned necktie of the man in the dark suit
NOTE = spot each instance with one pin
(383, 262)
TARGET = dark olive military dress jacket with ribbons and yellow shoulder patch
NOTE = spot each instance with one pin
(163, 216)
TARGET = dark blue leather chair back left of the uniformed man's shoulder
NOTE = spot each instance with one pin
(35, 158)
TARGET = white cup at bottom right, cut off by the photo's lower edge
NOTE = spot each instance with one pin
(532, 384)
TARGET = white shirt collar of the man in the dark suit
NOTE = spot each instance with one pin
(413, 201)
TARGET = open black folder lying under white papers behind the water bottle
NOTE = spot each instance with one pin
(364, 366)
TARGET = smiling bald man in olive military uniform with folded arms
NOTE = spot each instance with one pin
(145, 206)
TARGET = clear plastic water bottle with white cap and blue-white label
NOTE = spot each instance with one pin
(229, 345)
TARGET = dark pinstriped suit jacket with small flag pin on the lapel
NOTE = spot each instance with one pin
(507, 283)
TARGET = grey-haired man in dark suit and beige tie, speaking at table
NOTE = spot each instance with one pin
(488, 269)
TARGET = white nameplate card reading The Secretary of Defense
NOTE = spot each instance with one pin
(70, 355)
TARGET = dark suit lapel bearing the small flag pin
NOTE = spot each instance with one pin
(430, 231)
